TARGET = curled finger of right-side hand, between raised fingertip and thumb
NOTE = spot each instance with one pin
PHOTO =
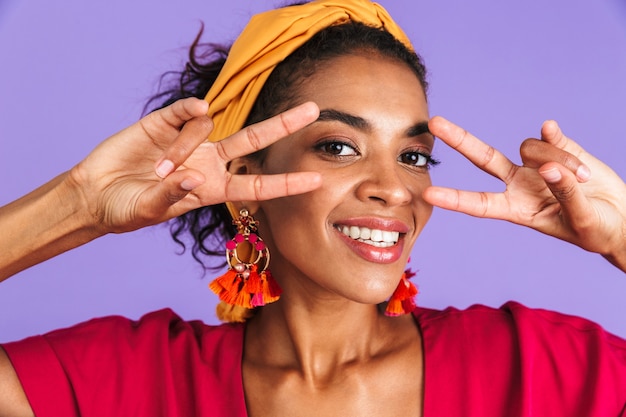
(536, 153)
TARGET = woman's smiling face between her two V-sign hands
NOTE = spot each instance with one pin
(352, 237)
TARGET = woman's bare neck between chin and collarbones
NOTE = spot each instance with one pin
(318, 339)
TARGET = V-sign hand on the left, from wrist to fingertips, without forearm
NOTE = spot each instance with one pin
(162, 167)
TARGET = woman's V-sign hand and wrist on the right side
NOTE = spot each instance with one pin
(560, 190)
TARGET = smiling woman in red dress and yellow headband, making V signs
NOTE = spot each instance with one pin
(363, 141)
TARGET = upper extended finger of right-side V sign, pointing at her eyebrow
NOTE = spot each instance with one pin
(479, 153)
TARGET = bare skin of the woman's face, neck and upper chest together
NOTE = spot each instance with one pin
(365, 361)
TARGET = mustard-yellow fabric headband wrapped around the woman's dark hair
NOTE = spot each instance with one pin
(266, 41)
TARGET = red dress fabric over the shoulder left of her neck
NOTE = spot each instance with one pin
(159, 355)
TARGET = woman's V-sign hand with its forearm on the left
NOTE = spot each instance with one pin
(158, 168)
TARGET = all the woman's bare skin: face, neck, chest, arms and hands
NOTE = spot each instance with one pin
(359, 365)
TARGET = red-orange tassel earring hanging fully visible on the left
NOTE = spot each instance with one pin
(247, 283)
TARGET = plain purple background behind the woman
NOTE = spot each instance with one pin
(74, 72)
